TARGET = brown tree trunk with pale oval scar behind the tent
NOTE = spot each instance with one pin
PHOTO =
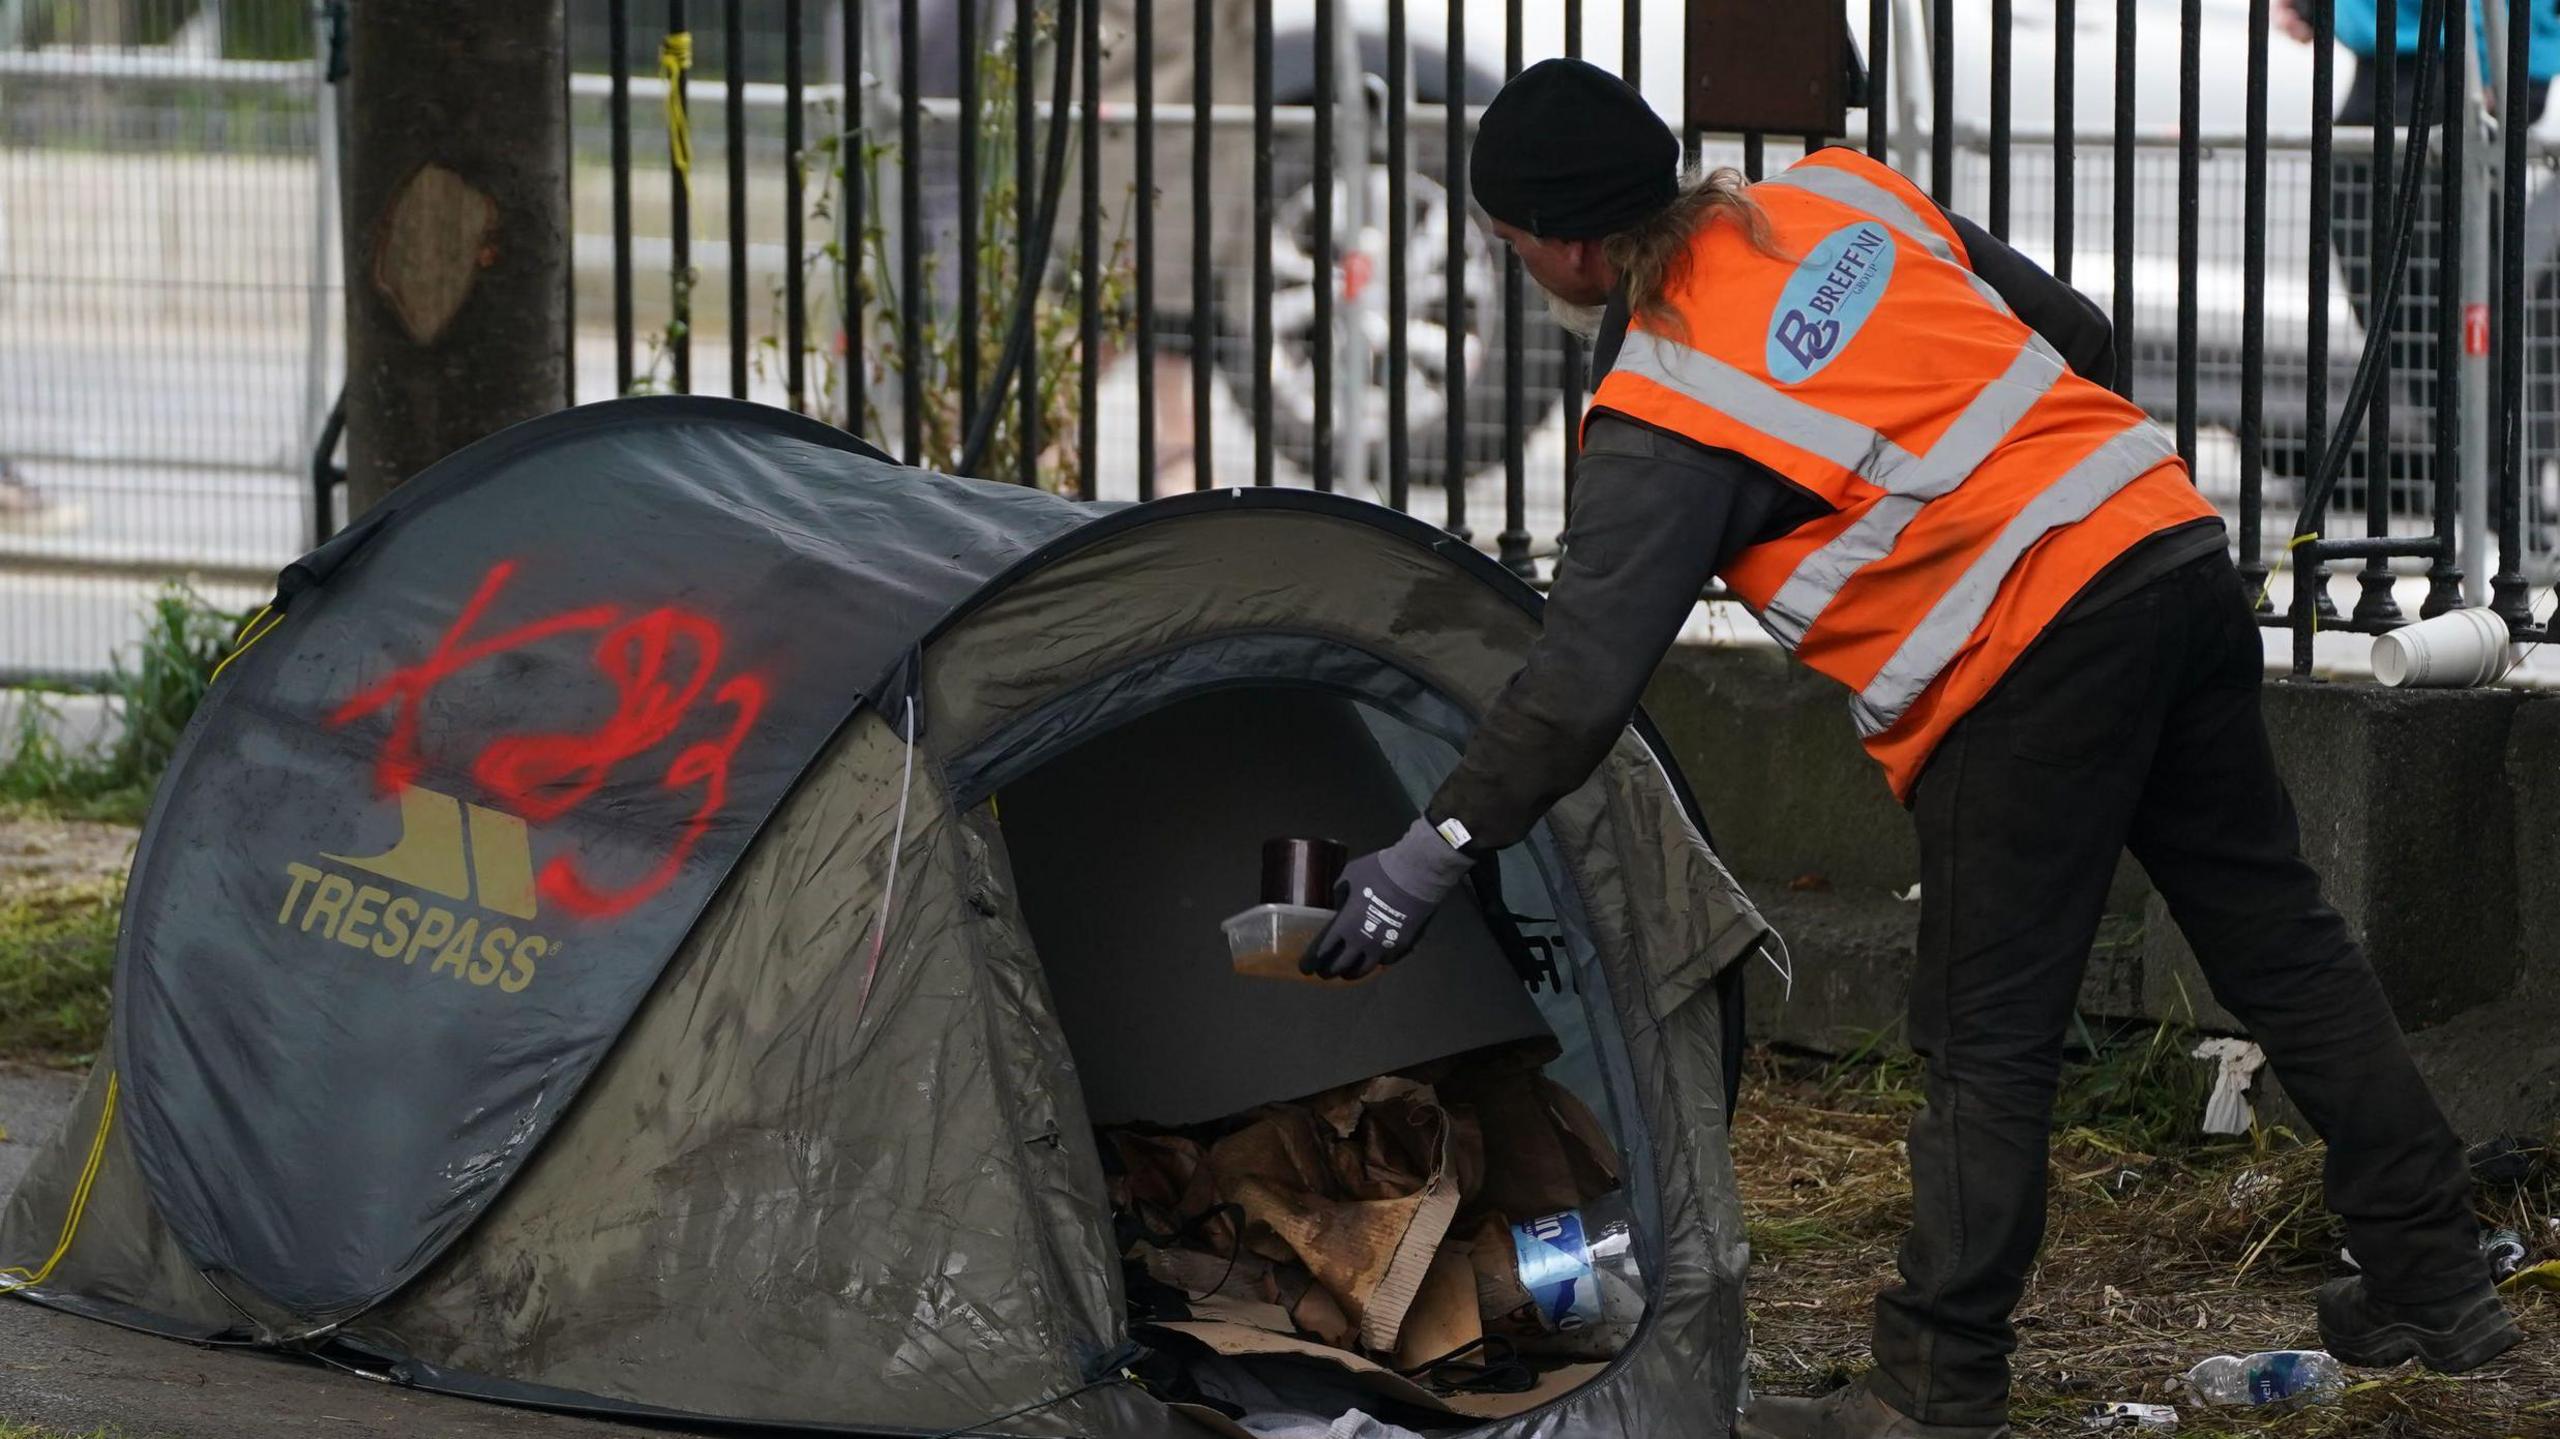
(457, 229)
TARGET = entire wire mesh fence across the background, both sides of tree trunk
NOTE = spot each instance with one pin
(1309, 296)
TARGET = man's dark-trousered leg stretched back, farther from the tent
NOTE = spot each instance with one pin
(2221, 841)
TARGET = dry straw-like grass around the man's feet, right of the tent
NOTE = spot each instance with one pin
(2164, 1248)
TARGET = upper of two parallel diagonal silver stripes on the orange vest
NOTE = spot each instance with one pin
(1960, 452)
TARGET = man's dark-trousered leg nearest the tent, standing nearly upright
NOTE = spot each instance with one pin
(2021, 816)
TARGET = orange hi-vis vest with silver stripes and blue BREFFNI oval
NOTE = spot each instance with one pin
(1975, 483)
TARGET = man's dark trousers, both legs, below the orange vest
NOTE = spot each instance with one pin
(2134, 726)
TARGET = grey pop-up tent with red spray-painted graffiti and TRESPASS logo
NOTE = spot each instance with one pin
(652, 923)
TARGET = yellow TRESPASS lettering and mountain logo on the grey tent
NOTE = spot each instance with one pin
(452, 851)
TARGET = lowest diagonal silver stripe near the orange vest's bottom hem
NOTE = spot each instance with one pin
(1949, 623)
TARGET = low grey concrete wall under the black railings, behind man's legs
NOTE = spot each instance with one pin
(2431, 816)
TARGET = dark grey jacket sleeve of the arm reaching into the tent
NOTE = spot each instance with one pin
(1655, 519)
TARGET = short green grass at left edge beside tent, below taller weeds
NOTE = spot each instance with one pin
(58, 951)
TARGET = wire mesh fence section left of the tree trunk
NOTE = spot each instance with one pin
(168, 319)
